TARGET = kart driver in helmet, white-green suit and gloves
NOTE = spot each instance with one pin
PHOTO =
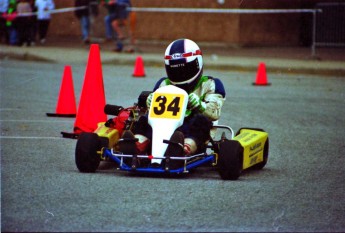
(206, 95)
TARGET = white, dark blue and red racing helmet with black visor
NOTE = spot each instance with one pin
(183, 63)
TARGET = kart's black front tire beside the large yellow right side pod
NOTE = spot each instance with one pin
(230, 160)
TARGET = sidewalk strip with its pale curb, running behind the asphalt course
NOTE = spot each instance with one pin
(326, 61)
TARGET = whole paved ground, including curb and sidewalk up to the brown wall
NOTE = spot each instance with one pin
(301, 188)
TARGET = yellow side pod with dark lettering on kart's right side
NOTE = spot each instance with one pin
(253, 143)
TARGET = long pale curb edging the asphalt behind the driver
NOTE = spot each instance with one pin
(244, 64)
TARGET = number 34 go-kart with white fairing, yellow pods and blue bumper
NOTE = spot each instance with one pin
(230, 153)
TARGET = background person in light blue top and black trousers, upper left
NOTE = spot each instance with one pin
(43, 17)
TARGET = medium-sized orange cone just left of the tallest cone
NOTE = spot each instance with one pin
(66, 106)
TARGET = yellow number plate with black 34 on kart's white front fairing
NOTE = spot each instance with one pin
(166, 105)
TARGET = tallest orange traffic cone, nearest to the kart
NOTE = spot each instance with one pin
(92, 99)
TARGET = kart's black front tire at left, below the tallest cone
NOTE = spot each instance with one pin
(86, 157)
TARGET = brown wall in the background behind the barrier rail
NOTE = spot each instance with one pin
(230, 29)
